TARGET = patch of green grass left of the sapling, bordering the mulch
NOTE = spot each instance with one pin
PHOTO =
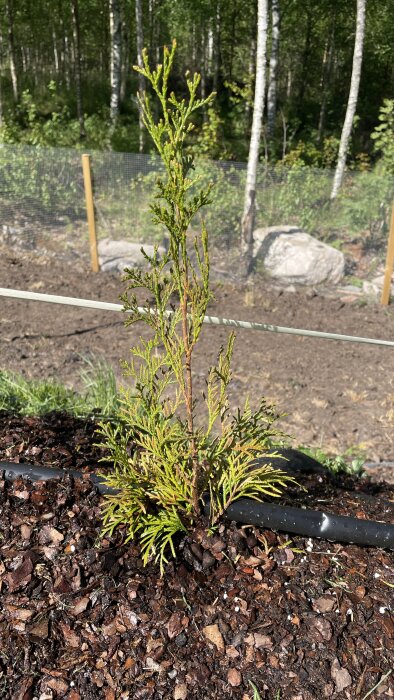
(36, 397)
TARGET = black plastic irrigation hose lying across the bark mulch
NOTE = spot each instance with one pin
(305, 522)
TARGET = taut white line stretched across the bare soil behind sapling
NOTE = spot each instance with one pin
(211, 320)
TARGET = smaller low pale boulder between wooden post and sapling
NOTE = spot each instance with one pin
(114, 256)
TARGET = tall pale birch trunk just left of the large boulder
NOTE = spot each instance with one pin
(247, 224)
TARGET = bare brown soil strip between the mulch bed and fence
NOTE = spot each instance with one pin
(336, 395)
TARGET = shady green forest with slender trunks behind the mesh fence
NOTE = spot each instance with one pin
(66, 74)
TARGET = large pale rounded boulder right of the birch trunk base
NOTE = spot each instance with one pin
(292, 256)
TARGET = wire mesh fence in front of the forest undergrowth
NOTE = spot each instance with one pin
(42, 201)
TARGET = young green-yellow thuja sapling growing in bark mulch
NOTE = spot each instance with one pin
(163, 461)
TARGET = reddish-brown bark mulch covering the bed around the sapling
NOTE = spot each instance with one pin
(302, 619)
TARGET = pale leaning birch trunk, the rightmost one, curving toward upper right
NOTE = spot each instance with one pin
(353, 96)
